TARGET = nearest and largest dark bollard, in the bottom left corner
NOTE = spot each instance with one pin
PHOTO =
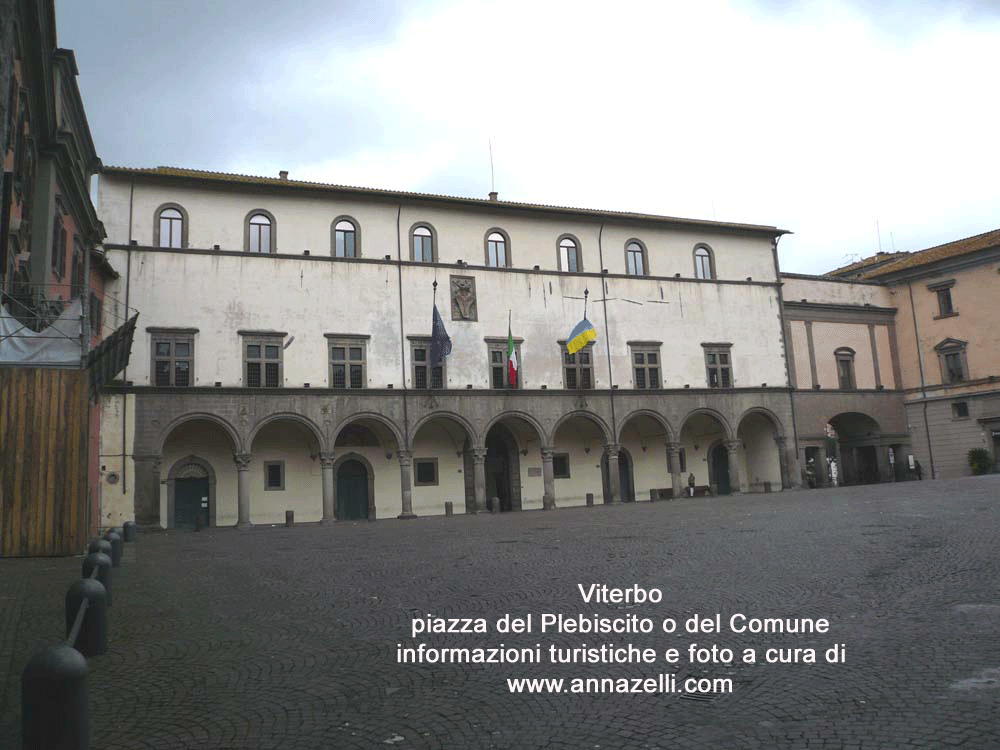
(54, 700)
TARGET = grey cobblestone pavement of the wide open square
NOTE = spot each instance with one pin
(287, 638)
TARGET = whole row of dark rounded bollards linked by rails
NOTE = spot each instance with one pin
(54, 713)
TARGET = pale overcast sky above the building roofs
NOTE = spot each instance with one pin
(819, 117)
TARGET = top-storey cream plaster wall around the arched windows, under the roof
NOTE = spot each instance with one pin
(303, 221)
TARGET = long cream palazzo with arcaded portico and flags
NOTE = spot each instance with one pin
(282, 358)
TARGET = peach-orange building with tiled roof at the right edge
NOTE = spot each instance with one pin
(949, 346)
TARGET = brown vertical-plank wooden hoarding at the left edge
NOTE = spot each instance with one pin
(43, 461)
